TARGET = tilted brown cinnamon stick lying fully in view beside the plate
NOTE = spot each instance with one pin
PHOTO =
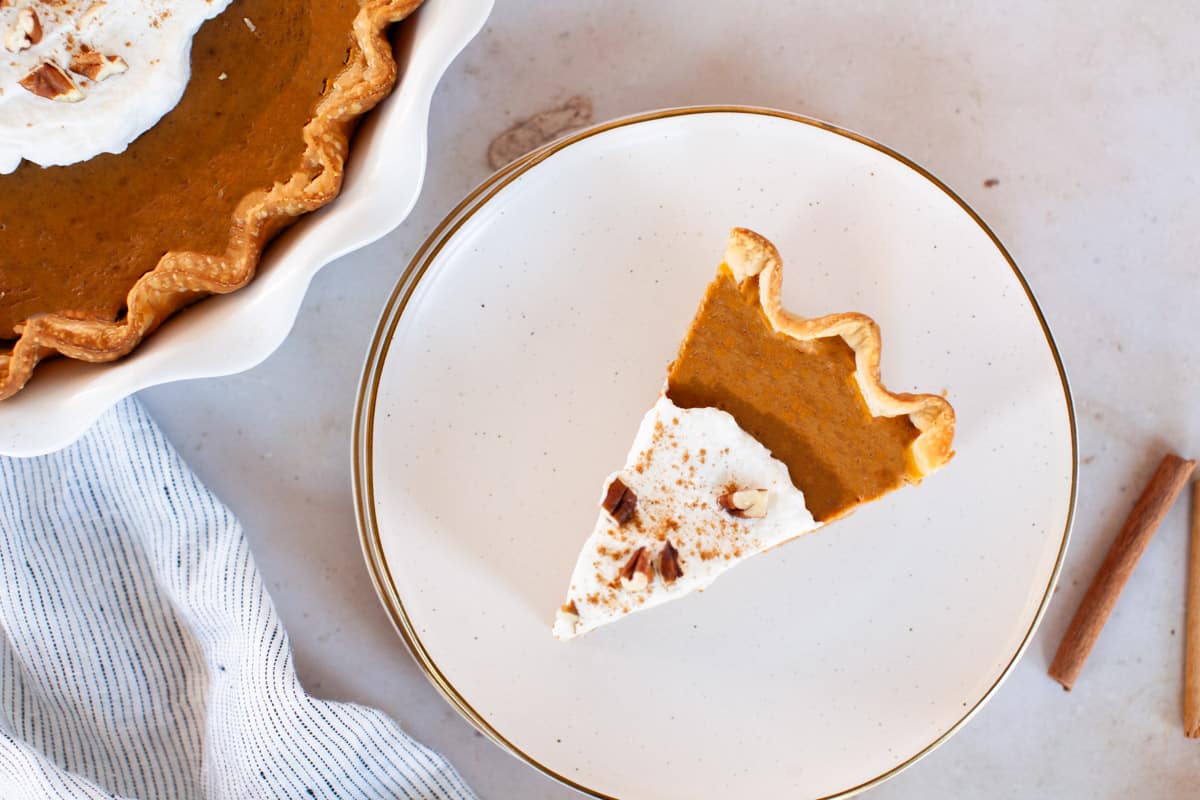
(1102, 596)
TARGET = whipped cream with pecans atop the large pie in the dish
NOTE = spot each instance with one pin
(85, 77)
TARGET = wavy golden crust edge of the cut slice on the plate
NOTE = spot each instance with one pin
(749, 254)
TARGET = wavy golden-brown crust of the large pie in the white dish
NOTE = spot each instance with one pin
(182, 278)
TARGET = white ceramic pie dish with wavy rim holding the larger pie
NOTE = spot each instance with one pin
(231, 334)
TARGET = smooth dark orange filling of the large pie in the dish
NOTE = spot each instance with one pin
(75, 239)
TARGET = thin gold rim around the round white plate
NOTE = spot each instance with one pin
(365, 406)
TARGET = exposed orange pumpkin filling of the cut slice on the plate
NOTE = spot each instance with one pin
(799, 399)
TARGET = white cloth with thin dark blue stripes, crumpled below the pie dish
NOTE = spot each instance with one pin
(141, 657)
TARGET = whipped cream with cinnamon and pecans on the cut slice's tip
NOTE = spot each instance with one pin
(683, 462)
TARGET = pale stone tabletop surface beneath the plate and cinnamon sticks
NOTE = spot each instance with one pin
(1088, 116)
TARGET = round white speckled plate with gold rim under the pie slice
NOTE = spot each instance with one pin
(508, 378)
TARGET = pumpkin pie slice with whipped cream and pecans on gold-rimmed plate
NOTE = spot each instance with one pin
(770, 426)
